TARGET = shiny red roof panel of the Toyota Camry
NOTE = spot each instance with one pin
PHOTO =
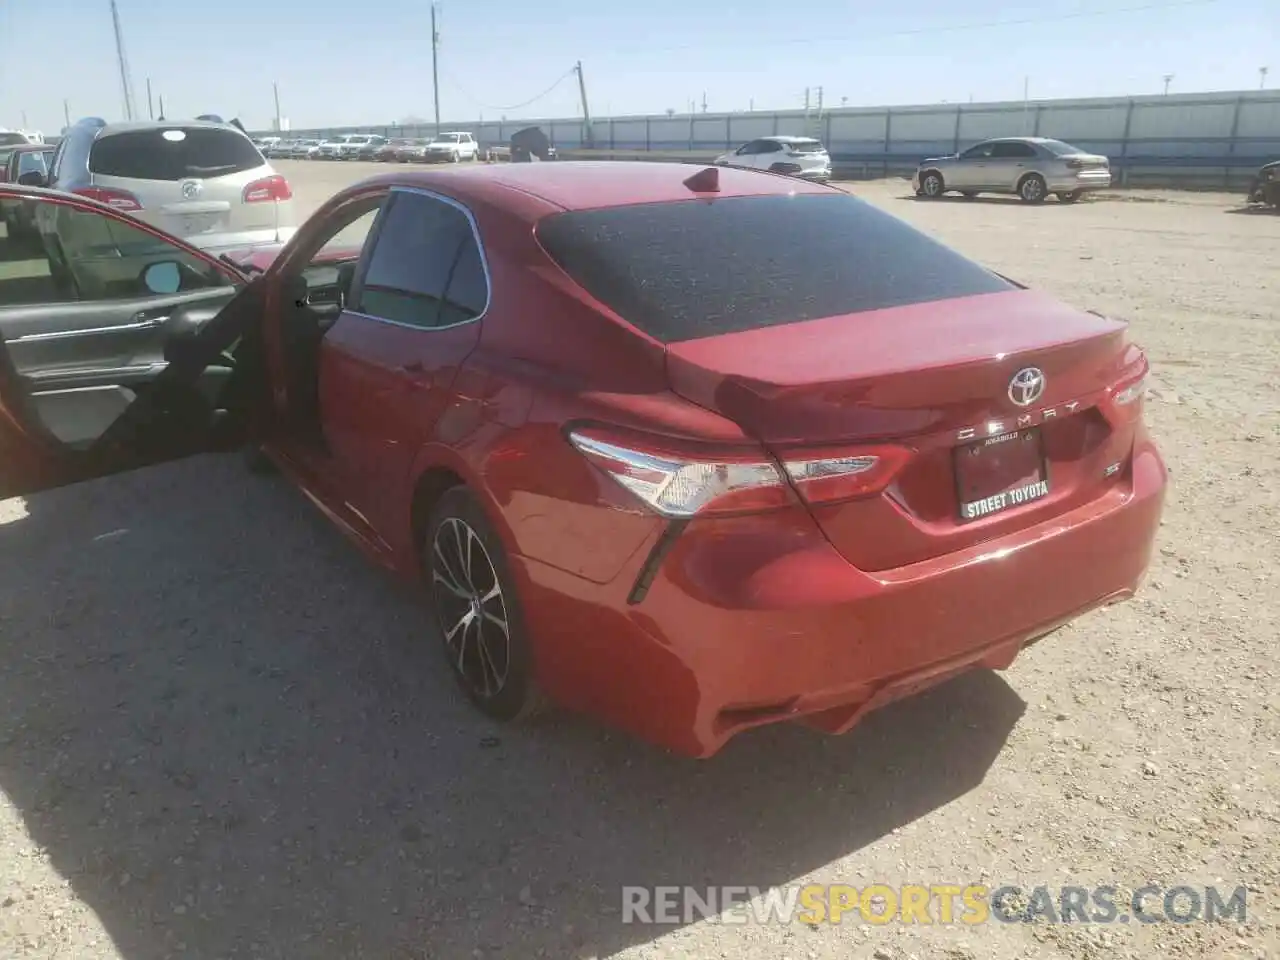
(589, 185)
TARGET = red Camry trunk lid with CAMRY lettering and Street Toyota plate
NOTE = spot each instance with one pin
(936, 380)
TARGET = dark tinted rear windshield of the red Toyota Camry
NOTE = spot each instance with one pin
(692, 269)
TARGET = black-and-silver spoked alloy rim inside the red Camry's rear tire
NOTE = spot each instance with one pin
(472, 609)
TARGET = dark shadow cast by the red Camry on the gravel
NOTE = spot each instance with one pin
(234, 738)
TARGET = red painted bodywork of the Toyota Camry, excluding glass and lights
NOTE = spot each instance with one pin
(813, 612)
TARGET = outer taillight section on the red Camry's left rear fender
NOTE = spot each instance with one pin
(684, 481)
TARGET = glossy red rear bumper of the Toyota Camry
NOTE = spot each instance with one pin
(752, 623)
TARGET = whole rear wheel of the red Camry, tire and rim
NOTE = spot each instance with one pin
(474, 598)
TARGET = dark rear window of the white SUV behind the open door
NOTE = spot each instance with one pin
(149, 156)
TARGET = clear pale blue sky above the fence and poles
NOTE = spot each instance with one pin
(350, 63)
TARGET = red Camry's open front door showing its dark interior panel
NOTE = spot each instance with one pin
(120, 345)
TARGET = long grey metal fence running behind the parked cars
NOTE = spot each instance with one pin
(1206, 139)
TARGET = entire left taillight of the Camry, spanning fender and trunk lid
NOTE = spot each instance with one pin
(684, 481)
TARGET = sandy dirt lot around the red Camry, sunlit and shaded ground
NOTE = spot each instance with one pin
(223, 735)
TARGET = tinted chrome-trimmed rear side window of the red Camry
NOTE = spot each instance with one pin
(426, 269)
